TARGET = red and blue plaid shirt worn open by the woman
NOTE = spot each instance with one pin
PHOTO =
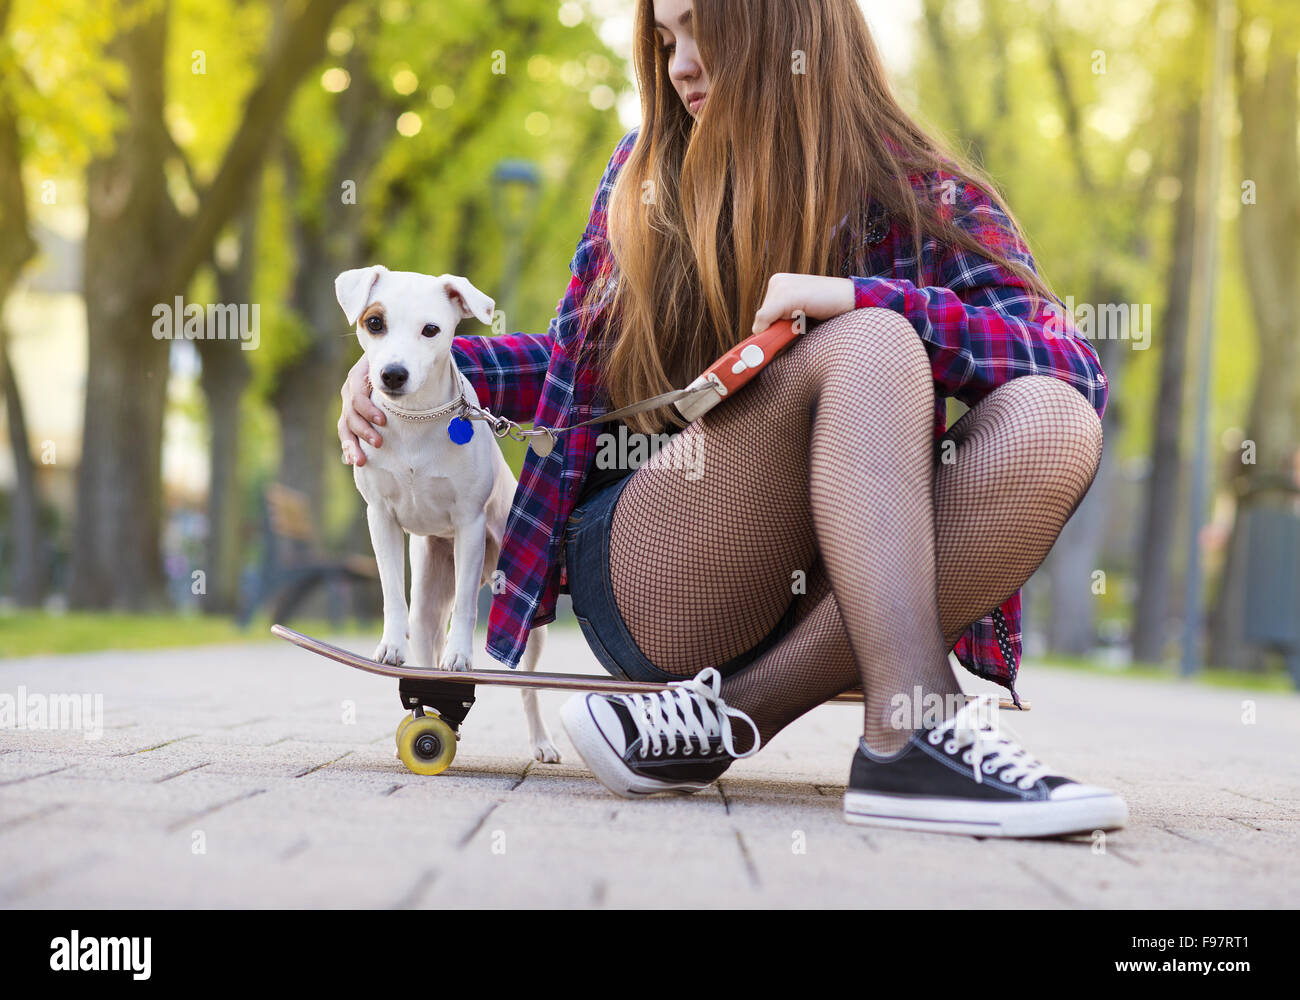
(974, 318)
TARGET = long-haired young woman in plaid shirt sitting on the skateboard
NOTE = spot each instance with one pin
(821, 531)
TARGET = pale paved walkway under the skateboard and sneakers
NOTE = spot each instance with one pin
(261, 776)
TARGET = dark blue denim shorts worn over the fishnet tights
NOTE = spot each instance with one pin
(587, 560)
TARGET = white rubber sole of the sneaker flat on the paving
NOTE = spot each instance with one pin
(996, 820)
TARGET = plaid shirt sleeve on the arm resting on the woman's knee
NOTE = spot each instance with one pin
(978, 322)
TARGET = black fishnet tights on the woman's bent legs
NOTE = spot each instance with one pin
(822, 486)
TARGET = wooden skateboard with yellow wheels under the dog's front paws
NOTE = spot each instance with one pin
(437, 702)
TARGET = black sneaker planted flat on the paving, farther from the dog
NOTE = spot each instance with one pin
(964, 778)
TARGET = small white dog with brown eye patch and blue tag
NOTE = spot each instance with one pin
(452, 499)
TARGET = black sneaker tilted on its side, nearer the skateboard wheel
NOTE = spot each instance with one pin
(678, 741)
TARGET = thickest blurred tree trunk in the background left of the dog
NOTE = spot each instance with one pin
(116, 557)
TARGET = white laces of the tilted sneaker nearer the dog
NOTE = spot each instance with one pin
(666, 717)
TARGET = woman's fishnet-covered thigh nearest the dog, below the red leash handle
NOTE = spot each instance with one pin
(712, 543)
